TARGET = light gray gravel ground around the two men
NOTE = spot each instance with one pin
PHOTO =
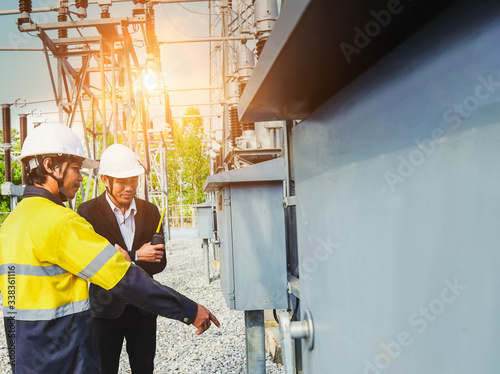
(179, 349)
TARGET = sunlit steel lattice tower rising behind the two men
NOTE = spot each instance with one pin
(102, 81)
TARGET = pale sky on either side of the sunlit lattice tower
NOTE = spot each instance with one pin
(25, 75)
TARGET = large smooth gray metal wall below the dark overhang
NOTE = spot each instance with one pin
(398, 207)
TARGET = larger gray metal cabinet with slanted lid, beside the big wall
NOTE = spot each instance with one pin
(251, 228)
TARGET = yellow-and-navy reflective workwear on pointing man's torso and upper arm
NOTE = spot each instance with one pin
(47, 252)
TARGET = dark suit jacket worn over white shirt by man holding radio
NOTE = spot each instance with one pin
(99, 214)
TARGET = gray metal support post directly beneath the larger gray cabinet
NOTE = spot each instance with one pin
(255, 341)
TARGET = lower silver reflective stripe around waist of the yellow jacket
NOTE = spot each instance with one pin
(46, 314)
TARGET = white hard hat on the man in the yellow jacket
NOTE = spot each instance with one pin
(56, 140)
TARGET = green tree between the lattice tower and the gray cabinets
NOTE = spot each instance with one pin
(187, 163)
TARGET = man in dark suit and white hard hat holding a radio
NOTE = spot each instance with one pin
(129, 223)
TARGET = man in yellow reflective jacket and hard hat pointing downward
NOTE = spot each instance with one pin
(47, 255)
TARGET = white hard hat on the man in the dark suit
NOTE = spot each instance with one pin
(119, 161)
